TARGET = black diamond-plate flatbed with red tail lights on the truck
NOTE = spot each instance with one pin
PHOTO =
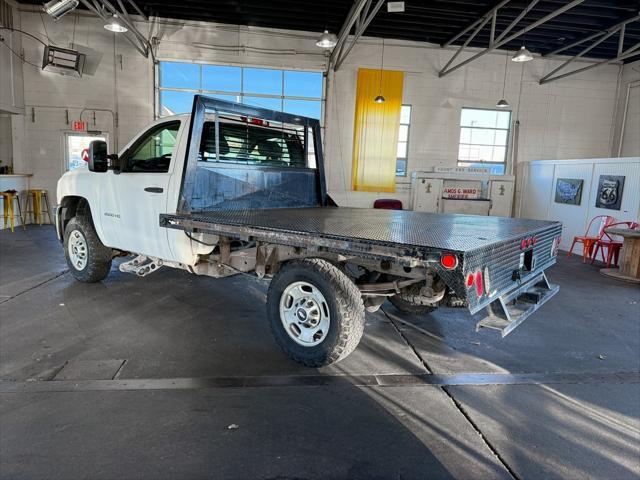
(492, 245)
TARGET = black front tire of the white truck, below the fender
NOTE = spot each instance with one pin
(98, 257)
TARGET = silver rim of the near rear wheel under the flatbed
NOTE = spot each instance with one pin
(304, 314)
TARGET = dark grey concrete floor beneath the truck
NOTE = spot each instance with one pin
(141, 378)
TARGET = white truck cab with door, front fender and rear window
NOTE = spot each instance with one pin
(252, 164)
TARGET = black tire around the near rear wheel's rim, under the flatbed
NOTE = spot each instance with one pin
(345, 307)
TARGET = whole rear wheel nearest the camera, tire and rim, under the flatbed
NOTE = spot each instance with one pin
(315, 311)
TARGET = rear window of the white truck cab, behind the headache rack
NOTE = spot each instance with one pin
(252, 145)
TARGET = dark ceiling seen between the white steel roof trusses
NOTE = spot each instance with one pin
(433, 21)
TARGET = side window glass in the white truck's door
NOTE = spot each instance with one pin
(153, 151)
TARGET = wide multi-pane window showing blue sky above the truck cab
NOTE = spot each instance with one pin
(294, 92)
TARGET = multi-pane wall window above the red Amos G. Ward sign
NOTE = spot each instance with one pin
(484, 136)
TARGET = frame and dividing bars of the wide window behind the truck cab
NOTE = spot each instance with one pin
(238, 94)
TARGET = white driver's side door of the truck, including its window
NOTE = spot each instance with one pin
(138, 193)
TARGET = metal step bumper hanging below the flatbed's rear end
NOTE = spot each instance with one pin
(510, 310)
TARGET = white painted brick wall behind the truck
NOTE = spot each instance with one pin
(571, 118)
